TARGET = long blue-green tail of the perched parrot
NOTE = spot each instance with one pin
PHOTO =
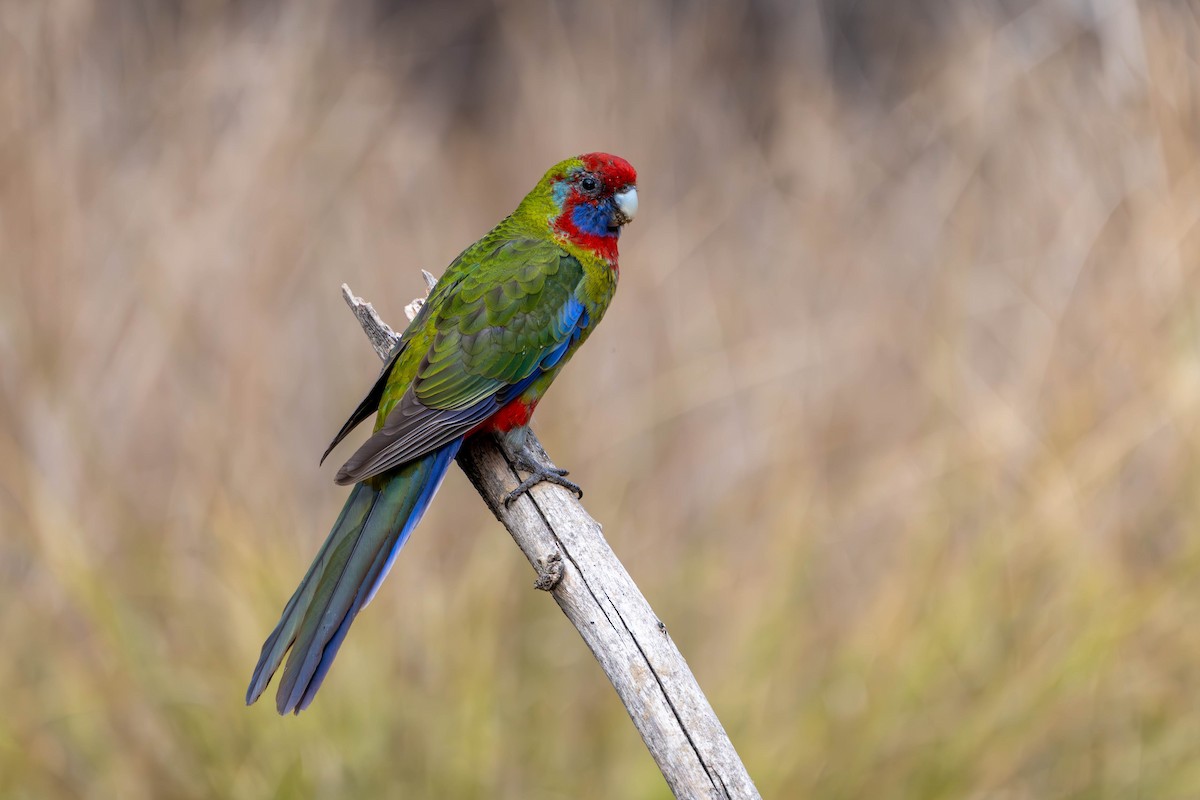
(374, 526)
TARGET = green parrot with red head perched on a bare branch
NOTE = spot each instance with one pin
(493, 335)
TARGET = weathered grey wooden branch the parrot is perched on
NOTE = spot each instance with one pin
(575, 564)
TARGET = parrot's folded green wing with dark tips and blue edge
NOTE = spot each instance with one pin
(496, 314)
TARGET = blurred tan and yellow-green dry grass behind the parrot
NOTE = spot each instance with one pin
(895, 419)
